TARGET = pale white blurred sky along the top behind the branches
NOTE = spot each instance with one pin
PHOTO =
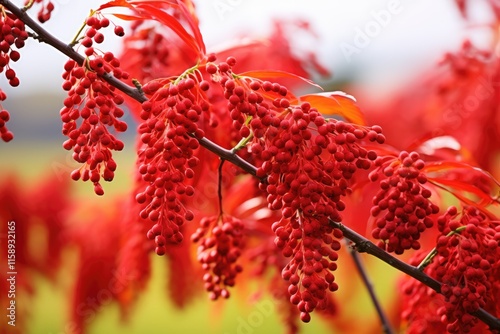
(370, 39)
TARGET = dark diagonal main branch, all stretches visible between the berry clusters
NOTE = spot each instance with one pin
(361, 244)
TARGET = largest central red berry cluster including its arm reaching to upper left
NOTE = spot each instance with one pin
(307, 162)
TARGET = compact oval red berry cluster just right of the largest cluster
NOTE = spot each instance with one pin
(402, 206)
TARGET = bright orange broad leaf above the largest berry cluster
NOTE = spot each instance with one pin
(336, 103)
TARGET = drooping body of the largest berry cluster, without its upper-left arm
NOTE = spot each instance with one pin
(308, 172)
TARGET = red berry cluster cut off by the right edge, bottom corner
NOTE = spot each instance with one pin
(467, 263)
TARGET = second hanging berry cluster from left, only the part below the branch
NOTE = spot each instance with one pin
(90, 108)
